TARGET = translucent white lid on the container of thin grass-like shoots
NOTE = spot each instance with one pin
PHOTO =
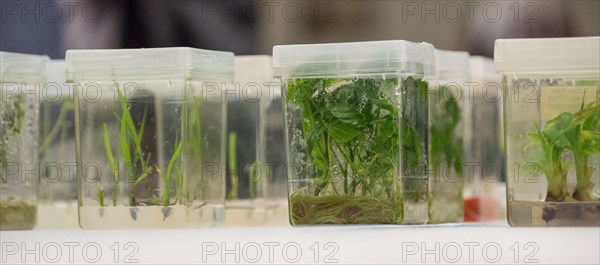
(143, 64)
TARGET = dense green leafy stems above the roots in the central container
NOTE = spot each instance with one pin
(351, 131)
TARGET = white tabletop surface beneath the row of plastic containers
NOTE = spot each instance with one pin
(485, 243)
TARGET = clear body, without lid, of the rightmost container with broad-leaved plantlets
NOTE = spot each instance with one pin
(552, 135)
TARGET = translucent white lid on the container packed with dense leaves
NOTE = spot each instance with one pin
(354, 58)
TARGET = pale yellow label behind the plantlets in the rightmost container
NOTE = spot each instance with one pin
(558, 99)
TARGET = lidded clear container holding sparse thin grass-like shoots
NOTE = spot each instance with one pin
(150, 136)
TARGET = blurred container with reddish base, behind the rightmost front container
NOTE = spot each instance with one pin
(486, 195)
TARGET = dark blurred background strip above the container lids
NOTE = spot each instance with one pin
(253, 27)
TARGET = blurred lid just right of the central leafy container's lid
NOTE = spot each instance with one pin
(452, 65)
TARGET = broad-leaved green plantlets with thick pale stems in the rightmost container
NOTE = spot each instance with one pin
(577, 133)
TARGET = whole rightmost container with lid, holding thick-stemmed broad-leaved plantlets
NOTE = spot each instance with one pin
(552, 130)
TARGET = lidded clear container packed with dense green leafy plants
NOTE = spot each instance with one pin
(356, 131)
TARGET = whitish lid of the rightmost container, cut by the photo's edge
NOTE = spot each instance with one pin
(547, 55)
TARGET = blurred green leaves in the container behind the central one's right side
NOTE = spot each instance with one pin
(446, 146)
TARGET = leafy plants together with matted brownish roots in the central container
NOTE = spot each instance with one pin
(348, 134)
